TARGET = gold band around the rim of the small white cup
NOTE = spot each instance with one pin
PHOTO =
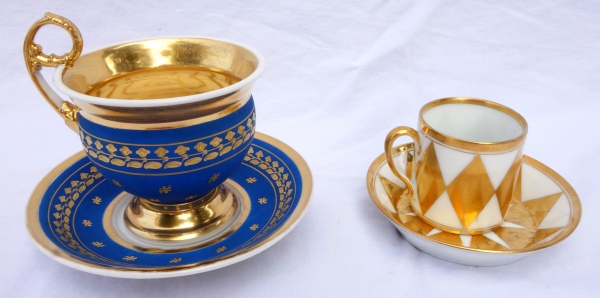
(471, 145)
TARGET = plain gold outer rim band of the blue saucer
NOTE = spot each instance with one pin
(50, 249)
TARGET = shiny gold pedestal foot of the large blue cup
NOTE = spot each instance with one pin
(182, 221)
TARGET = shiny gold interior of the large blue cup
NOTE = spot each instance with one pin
(160, 68)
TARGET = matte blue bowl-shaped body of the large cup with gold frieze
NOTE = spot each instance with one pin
(174, 165)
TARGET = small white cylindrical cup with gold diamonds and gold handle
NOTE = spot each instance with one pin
(468, 157)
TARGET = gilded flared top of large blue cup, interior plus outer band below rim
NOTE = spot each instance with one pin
(158, 69)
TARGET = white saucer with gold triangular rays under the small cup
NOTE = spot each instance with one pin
(544, 211)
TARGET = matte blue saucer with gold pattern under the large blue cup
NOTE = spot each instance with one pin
(71, 217)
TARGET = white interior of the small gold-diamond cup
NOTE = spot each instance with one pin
(474, 123)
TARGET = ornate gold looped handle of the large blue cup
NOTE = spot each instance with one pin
(35, 59)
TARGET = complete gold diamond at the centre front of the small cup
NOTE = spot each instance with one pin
(470, 191)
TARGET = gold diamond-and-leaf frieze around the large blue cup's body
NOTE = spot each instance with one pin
(168, 156)
